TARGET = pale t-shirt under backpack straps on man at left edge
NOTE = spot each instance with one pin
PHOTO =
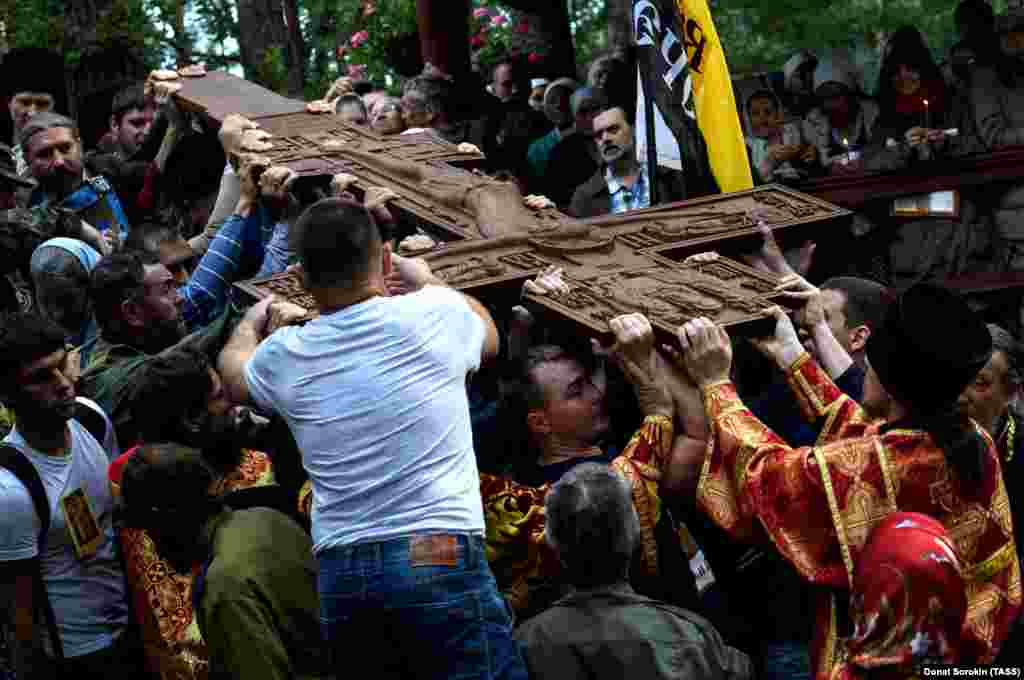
(88, 597)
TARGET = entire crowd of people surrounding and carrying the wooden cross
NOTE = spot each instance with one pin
(196, 487)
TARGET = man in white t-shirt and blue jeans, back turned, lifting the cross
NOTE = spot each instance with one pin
(374, 392)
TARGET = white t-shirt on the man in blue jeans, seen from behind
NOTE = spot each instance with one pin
(375, 396)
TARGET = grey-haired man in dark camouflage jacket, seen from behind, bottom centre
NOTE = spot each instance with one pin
(605, 629)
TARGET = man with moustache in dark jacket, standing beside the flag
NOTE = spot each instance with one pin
(622, 184)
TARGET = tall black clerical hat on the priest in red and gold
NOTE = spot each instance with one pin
(929, 349)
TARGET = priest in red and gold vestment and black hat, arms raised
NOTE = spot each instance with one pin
(908, 449)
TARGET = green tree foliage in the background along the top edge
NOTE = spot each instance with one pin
(759, 35)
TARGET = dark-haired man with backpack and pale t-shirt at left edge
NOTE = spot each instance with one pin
(83, 578)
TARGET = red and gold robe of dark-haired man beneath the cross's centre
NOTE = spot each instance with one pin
(516, 521)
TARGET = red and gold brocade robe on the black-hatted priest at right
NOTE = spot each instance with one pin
(819, 504)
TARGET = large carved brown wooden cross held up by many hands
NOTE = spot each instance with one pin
(491, 242)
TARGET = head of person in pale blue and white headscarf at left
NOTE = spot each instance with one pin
(61, 270)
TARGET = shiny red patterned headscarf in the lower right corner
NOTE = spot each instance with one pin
(909, 602)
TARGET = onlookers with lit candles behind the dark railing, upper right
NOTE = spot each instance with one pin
(819, 120)
